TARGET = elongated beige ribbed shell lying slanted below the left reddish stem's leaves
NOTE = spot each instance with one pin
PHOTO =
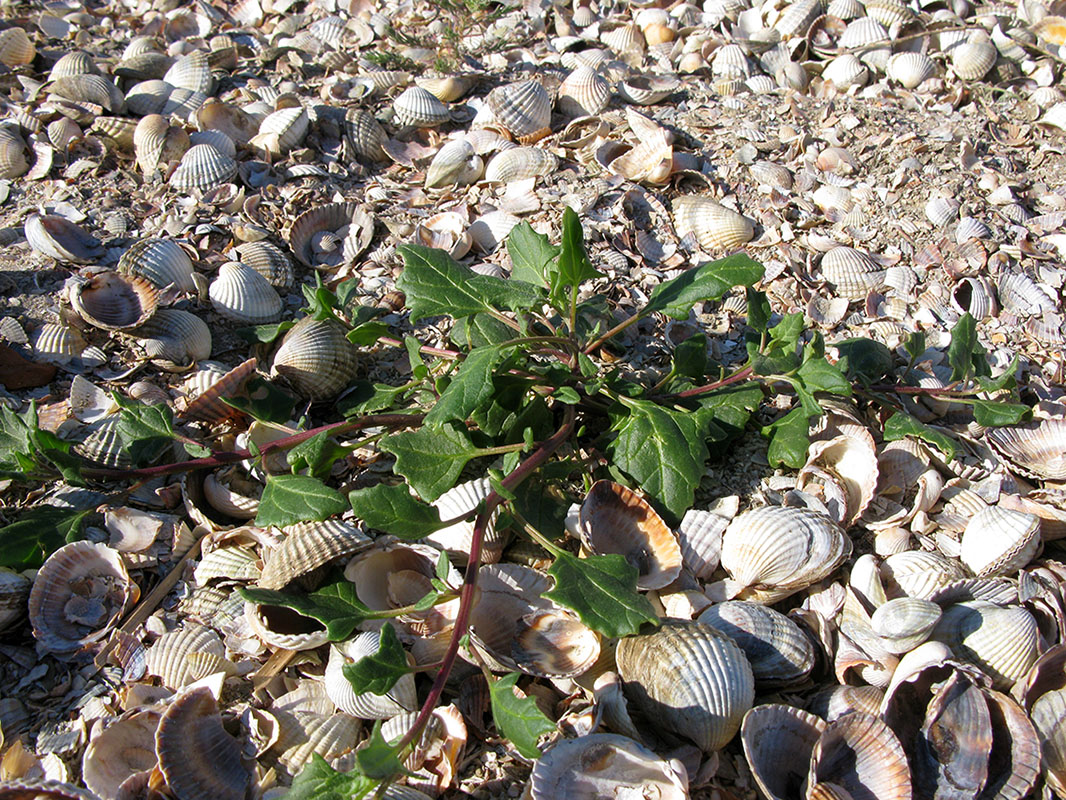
(309, 547)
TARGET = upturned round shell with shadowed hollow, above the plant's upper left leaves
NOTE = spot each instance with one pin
(331, 236)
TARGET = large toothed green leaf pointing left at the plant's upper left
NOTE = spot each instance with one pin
(437, 284)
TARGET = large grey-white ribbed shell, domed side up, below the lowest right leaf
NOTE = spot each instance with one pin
(690, 680)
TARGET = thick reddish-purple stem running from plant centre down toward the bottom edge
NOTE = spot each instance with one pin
(520, 474)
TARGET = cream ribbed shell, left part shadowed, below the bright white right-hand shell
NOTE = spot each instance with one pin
(1002, 643)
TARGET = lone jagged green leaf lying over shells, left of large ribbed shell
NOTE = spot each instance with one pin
(603, 591)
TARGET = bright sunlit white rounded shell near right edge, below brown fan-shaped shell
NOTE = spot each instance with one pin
(1000, 542)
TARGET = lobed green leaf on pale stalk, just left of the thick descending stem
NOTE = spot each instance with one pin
(431, 458)
